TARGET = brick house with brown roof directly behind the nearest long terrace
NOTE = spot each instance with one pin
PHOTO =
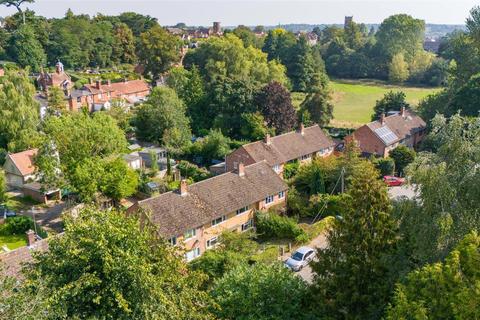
(301, 145)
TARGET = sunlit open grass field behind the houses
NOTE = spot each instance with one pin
(354, 99)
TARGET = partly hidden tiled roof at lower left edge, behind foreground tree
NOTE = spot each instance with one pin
(12, 261)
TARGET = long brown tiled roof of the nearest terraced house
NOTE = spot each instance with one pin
(212, 198)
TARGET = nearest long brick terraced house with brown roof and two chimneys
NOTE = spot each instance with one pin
(194, 217)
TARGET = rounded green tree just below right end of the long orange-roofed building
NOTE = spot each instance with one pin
(162, 112)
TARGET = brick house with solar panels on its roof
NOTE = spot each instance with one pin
(380, 137)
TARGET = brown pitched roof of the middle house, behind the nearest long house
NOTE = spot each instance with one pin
(289, 146)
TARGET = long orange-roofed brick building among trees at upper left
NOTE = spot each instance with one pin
(98, 96)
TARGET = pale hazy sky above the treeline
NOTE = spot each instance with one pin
(262, 12)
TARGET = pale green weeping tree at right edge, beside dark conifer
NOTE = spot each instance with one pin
(449, 191)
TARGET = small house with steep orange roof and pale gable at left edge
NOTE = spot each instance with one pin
(19, 168)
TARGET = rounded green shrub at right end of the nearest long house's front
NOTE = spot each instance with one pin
(271, 225)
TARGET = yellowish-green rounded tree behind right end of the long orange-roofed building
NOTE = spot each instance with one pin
(158, 50)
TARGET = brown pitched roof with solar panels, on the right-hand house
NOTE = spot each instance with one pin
(397, 127)
